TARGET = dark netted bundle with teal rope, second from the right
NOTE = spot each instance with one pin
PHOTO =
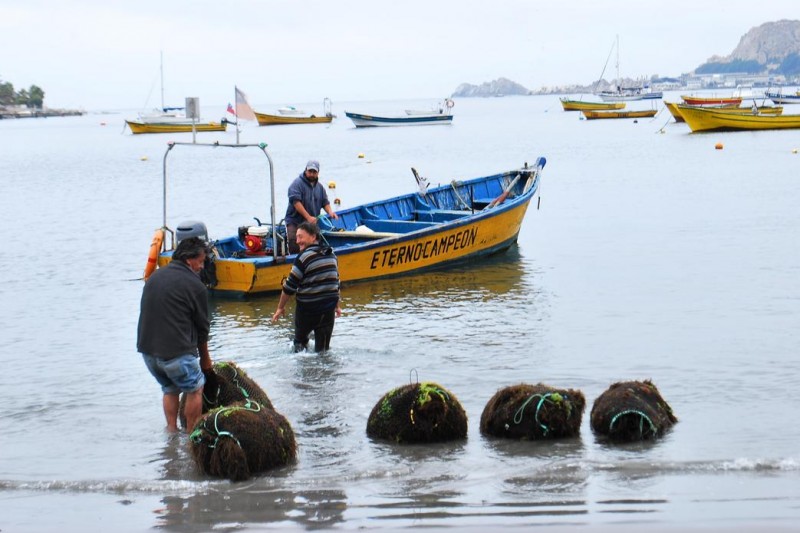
(533, 412)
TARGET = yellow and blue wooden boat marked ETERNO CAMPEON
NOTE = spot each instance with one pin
(407, 234)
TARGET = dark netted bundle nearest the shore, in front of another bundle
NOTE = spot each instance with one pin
(240, 440)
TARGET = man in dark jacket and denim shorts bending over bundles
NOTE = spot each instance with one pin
(173, 331)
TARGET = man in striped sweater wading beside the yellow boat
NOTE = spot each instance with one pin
(314, 280)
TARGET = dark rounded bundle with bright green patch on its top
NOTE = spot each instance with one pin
(417, 413)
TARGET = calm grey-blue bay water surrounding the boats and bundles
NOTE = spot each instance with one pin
(653, 255)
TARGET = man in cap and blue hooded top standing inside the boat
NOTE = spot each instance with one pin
(307, 197)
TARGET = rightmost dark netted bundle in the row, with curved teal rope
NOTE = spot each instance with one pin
(631, 411)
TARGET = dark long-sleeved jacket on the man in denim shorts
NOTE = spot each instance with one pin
(174, 312)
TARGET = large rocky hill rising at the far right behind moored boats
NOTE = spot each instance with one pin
(772, 48)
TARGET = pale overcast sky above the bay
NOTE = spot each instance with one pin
(106, 54)
